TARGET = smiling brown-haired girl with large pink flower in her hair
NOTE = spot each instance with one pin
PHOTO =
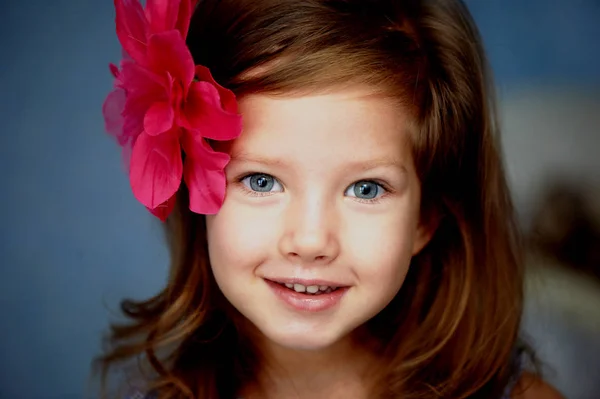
(353, 237)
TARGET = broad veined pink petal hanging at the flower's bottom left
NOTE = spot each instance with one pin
(156, 168)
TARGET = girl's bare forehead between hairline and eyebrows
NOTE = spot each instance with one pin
(322, 128)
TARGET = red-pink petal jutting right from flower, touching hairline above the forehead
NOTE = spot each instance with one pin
(204, 113)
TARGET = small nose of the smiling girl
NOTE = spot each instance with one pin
(310, 233)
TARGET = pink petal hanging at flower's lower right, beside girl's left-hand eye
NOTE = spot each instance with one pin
(204, 174)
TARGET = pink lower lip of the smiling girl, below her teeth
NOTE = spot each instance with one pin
(307, 302)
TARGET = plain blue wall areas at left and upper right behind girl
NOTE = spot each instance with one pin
(73, 238)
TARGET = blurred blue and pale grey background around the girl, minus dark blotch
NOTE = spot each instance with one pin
(74, 241)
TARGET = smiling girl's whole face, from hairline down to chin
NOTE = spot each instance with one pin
(322, 193)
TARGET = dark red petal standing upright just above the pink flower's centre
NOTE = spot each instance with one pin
(168, 52)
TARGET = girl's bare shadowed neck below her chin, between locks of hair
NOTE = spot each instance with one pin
(342, 370)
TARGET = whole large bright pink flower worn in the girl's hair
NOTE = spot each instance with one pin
(162, 104)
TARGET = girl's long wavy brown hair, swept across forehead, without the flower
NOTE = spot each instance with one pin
(451, 331)
